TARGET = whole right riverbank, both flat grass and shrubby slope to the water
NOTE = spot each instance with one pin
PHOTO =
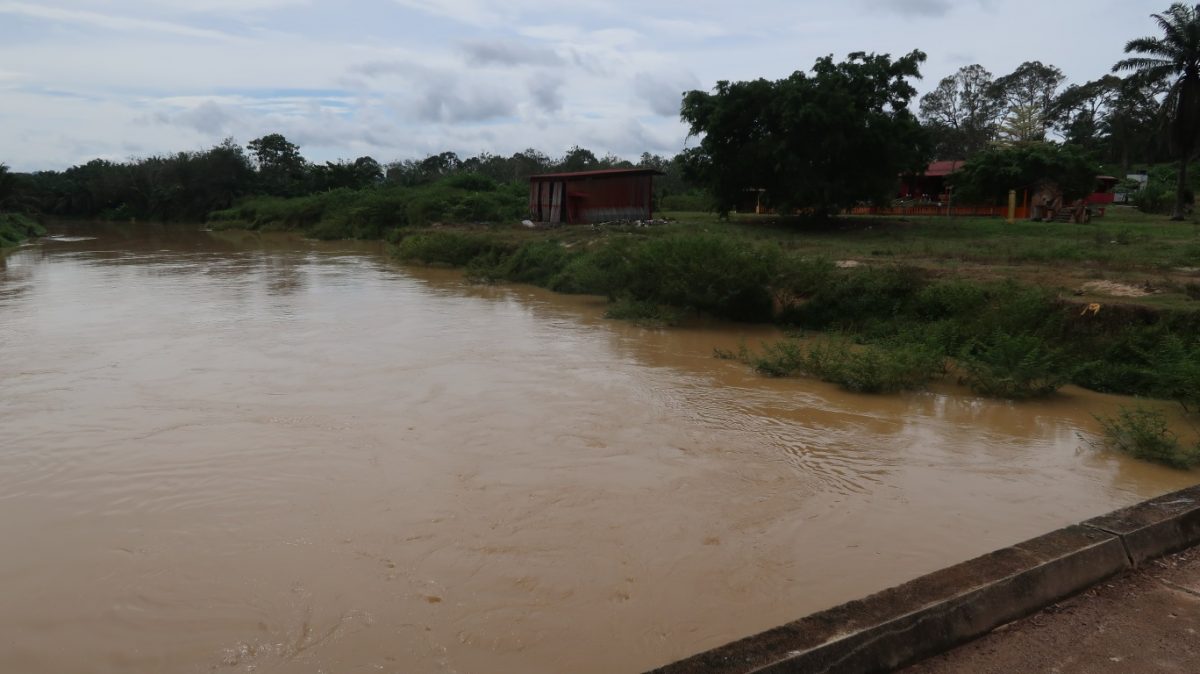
(1015, 310)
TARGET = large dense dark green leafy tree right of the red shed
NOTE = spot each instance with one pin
(820, 142)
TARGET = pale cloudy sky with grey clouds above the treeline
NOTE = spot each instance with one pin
(405, 79)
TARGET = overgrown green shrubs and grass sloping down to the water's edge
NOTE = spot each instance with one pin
(902, 321)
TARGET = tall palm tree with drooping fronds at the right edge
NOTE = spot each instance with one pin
(1177, 55)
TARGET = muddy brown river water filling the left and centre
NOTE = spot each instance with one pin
(232, 453)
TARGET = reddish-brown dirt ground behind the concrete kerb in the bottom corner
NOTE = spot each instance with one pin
(1145, 622)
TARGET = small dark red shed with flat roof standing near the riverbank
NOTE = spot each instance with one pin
(593, 196)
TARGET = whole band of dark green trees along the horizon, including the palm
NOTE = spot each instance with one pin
(820, 141)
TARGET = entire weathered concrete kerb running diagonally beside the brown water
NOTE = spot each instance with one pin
(938, 612)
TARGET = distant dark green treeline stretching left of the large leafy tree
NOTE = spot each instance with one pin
(190, 186)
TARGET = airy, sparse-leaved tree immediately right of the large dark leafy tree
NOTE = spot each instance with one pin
(962, 113)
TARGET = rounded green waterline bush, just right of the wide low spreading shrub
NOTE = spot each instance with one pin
(1013, 366)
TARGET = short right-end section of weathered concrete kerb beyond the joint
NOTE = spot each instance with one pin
(1157, 527)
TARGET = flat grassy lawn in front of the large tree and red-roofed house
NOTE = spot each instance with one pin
(1125, 256)
